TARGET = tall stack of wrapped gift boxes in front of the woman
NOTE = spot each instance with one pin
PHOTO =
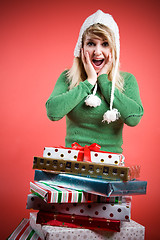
(83, 193)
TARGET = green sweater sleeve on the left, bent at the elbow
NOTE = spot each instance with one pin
(62, 100)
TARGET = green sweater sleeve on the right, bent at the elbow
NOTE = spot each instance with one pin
(127, 102)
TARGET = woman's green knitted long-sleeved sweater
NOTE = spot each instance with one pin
(84, 124)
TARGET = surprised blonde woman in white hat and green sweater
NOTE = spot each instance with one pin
(96, 98)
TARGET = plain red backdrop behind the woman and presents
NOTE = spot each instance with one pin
(36, 44)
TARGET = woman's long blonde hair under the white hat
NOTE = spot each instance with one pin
(77, 74)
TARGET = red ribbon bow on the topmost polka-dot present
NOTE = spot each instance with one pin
(85, 152)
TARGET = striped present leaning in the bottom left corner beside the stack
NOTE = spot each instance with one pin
(24, 231)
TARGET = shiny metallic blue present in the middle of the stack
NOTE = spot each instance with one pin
(101, 187)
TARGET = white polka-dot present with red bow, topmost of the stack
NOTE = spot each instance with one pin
(88, 153)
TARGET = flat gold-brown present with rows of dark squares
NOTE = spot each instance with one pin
(96, 170)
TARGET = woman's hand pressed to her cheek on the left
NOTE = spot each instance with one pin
(90, 71)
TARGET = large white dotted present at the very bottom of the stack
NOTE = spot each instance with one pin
(129, 231)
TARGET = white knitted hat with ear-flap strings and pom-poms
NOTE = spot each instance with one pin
(107, 20)
